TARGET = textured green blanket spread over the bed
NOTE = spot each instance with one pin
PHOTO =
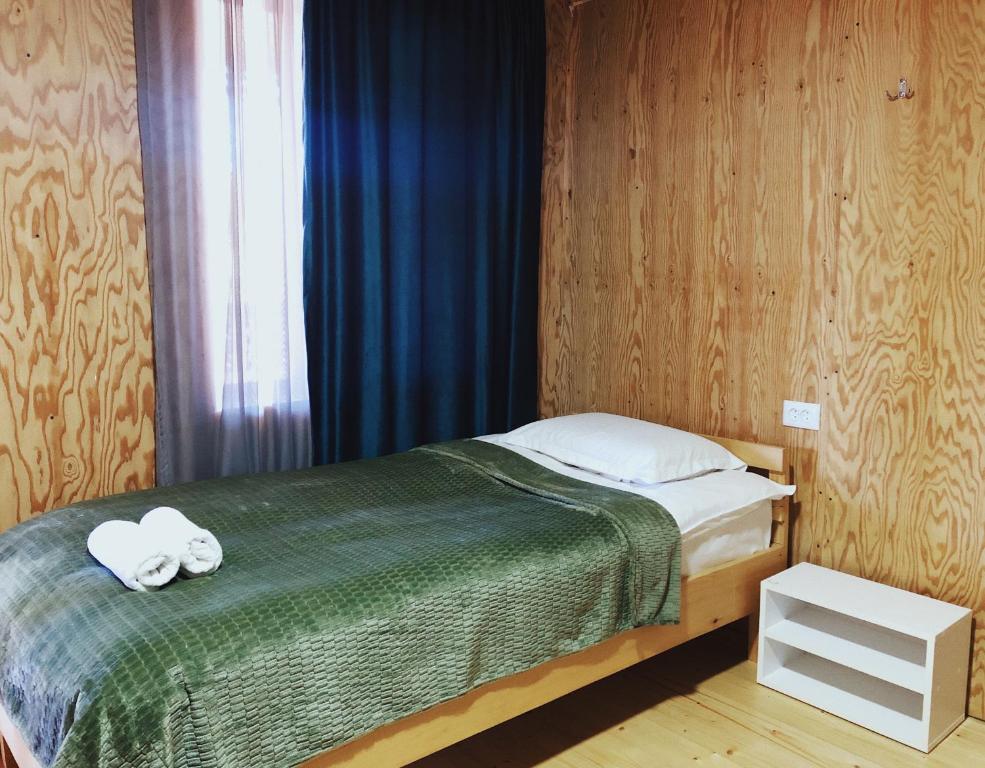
(349, 596)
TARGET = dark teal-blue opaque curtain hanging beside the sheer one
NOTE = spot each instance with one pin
(424, 126)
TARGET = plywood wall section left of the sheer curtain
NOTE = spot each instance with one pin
(76, 377)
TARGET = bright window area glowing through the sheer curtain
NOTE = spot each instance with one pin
(251, 154)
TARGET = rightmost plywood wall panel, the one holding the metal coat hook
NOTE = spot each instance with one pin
(904, 472)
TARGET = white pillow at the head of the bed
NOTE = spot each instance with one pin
(624, 449)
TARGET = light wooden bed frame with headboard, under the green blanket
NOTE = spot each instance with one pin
(709, 600)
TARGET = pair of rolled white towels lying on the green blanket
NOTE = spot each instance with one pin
(147, 556)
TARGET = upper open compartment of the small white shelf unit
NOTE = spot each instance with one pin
(865, 647)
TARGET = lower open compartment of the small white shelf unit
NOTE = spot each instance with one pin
(853, 695)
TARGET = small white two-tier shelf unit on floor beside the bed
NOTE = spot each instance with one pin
(886, 659)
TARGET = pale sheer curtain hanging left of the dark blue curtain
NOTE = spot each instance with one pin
(220, 93)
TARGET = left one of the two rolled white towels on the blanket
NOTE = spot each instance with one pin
(133, 555)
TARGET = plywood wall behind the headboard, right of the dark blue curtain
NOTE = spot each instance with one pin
(735, 214)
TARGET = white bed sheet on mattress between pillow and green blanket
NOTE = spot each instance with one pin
(708, 538)
